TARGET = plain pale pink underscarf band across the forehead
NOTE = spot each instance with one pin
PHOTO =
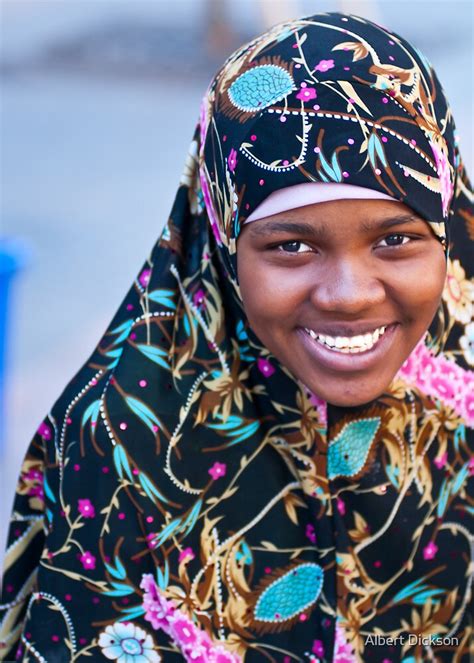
(299, 195)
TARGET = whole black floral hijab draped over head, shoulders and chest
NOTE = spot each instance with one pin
(186, 498)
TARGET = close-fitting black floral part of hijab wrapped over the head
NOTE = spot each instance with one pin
(326, 99)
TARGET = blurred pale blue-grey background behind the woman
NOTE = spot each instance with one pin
(99, 99)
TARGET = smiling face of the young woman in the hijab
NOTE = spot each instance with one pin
(341, 292)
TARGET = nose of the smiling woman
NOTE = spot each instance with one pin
(349, 286)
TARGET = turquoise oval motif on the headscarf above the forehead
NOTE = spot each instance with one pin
(260, 87)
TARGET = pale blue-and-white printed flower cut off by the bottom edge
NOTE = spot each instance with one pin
(127, 643)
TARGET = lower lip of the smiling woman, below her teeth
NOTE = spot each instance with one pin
(348, 362)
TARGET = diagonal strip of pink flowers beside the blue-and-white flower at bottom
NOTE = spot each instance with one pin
(195, 644)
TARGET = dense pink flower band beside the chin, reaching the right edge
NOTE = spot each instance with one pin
(441, 379)
